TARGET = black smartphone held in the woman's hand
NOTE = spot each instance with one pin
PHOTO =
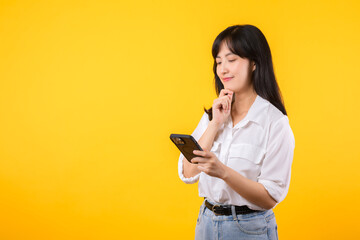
(186, 144)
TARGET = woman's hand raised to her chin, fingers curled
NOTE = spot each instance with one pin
(221, 107)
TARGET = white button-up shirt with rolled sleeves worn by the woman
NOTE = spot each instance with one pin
(260, 147)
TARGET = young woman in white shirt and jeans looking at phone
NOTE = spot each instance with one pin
(244, 170)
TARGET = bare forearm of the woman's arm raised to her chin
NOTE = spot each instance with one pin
(205, 142)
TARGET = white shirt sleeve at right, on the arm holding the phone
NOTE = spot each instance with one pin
(276, 168)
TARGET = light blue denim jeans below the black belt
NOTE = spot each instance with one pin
(255, 226)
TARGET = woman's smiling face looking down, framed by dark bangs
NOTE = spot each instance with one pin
(233, 71)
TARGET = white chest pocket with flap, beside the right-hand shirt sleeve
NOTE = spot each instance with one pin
(246, 159)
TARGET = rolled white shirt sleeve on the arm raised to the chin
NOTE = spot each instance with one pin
(197, 133)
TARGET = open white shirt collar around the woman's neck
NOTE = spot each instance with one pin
(256, 114)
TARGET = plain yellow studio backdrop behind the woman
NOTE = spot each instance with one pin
(91, 90)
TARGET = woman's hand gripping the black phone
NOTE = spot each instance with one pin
(209, 163)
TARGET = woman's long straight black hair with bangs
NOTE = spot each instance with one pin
(249, 42)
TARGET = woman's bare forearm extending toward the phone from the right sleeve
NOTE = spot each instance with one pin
(250, 190)
